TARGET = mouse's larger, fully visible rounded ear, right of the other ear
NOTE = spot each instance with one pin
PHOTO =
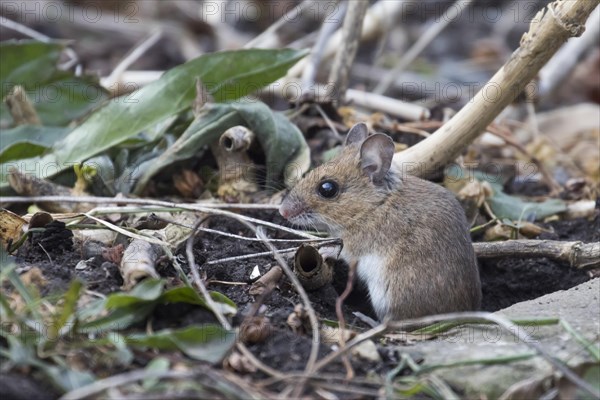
(376, 155)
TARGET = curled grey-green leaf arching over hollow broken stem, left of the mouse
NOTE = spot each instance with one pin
(281, 141)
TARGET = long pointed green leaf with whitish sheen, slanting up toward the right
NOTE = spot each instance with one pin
(227, 75)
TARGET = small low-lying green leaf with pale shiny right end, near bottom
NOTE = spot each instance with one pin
(207, 342)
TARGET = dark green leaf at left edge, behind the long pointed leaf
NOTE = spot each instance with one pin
(58, 96)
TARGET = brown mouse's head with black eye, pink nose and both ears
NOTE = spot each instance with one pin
(338, 193)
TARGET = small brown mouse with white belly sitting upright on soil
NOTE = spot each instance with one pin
(409, 237)
